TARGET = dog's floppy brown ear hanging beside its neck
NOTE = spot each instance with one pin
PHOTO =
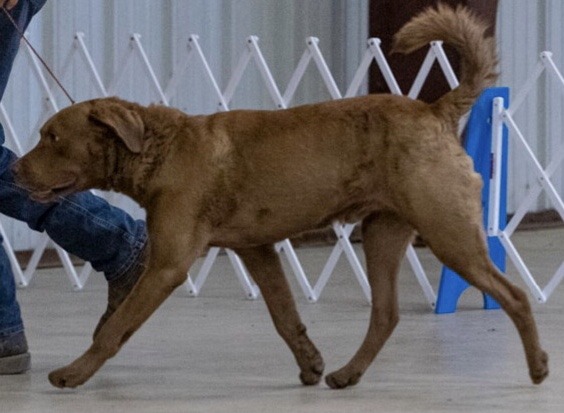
(126, 124)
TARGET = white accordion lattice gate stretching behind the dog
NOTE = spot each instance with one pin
(252, 53)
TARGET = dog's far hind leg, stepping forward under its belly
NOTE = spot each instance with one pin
(385, 239)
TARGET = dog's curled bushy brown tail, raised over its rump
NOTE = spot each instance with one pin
(464, 31)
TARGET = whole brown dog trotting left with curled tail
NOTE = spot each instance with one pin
(247, 179)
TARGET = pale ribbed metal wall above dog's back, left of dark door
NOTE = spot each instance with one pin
(222, 25)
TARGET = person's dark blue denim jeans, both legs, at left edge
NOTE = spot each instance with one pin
(83, 224)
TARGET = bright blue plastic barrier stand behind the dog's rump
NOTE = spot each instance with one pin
(478, 144)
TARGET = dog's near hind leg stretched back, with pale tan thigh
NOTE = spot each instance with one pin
(449, 218)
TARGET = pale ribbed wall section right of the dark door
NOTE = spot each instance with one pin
(525, 29)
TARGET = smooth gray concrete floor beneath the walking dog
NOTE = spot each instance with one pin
(219, 352)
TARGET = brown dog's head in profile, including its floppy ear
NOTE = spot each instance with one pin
(78, 148)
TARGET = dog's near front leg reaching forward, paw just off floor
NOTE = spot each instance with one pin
(170, 257)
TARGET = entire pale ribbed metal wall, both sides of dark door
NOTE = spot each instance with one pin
(525, 28)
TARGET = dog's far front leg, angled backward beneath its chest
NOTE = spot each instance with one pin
(264, 266)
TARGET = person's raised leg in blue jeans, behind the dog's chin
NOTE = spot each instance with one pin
(83, 224)
